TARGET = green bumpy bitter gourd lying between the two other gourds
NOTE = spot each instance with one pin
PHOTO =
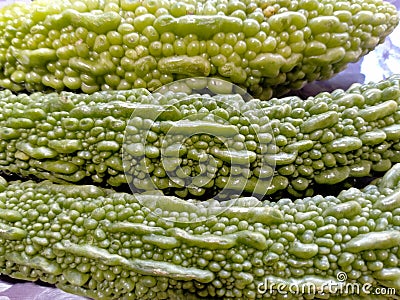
(202, 145)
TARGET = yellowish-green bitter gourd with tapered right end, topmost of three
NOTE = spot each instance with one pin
(267, 46)
